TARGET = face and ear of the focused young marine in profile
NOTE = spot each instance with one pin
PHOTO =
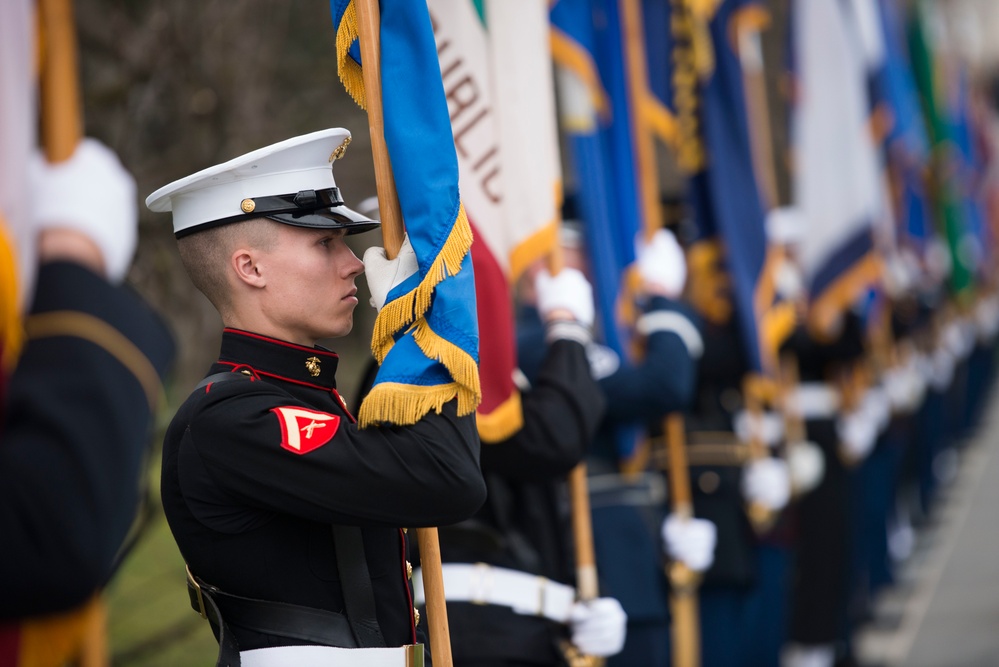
(310, 283)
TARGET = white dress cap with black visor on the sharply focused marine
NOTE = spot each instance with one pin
(290, 182)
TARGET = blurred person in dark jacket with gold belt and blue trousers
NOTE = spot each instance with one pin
(742, 598)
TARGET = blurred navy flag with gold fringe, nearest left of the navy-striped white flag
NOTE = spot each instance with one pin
(728, 208)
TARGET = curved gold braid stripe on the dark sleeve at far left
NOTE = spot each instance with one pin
(87, 327)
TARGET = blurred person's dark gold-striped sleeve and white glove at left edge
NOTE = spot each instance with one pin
(77, 409)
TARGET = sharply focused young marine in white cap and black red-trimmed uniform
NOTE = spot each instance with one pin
(292, 520)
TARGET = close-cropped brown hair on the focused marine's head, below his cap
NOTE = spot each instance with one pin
(206, 256)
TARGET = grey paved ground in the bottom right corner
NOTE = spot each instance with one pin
(945, 610)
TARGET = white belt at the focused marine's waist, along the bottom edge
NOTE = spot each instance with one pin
(332, 656)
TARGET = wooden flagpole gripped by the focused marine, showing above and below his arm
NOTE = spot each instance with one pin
(393, 231)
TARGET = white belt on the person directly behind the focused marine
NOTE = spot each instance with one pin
(484, 584)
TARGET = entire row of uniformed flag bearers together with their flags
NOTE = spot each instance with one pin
(668, 362)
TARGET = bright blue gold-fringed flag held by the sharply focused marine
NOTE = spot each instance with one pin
(426, 335)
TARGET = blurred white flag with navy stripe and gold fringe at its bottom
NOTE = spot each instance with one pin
(837, 182)
